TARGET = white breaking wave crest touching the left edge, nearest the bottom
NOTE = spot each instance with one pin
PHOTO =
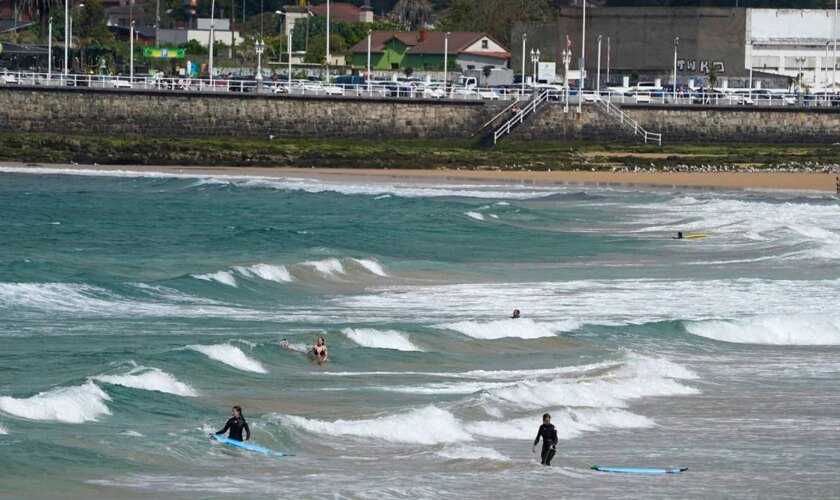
(74, 405)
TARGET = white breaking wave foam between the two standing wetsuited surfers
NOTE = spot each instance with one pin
(429, 425)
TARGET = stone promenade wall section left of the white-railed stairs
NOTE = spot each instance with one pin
(114, 112)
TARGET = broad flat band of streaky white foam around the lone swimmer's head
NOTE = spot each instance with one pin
(593, 302)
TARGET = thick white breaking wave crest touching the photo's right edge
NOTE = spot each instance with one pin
(776, 330)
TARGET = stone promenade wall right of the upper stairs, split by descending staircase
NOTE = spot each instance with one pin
(696, 124)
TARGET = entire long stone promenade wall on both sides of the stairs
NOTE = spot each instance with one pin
(168, 114)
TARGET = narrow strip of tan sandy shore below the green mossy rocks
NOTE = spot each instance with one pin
(786, 181)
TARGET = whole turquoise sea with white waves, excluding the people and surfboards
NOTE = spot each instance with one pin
(136, 309)
